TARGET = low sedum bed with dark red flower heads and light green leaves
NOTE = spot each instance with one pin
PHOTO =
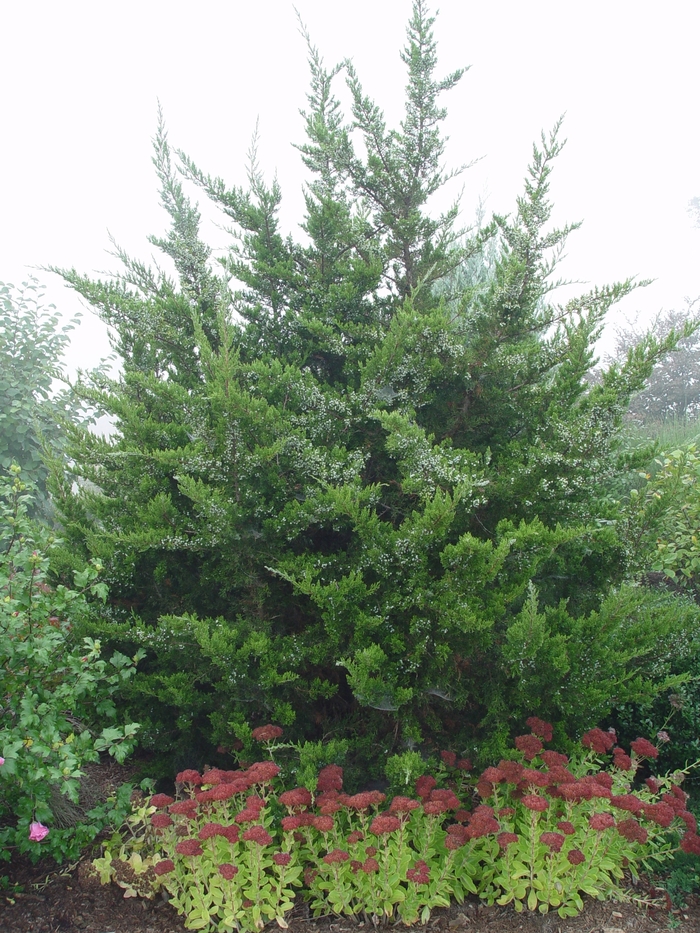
(539, 830)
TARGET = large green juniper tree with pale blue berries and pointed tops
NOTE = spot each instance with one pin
(344, 492)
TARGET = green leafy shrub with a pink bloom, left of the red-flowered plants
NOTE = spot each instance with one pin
(54, 695)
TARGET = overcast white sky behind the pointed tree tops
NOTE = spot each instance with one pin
(79, 84)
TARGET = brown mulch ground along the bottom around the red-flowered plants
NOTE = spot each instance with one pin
(72, 900)
